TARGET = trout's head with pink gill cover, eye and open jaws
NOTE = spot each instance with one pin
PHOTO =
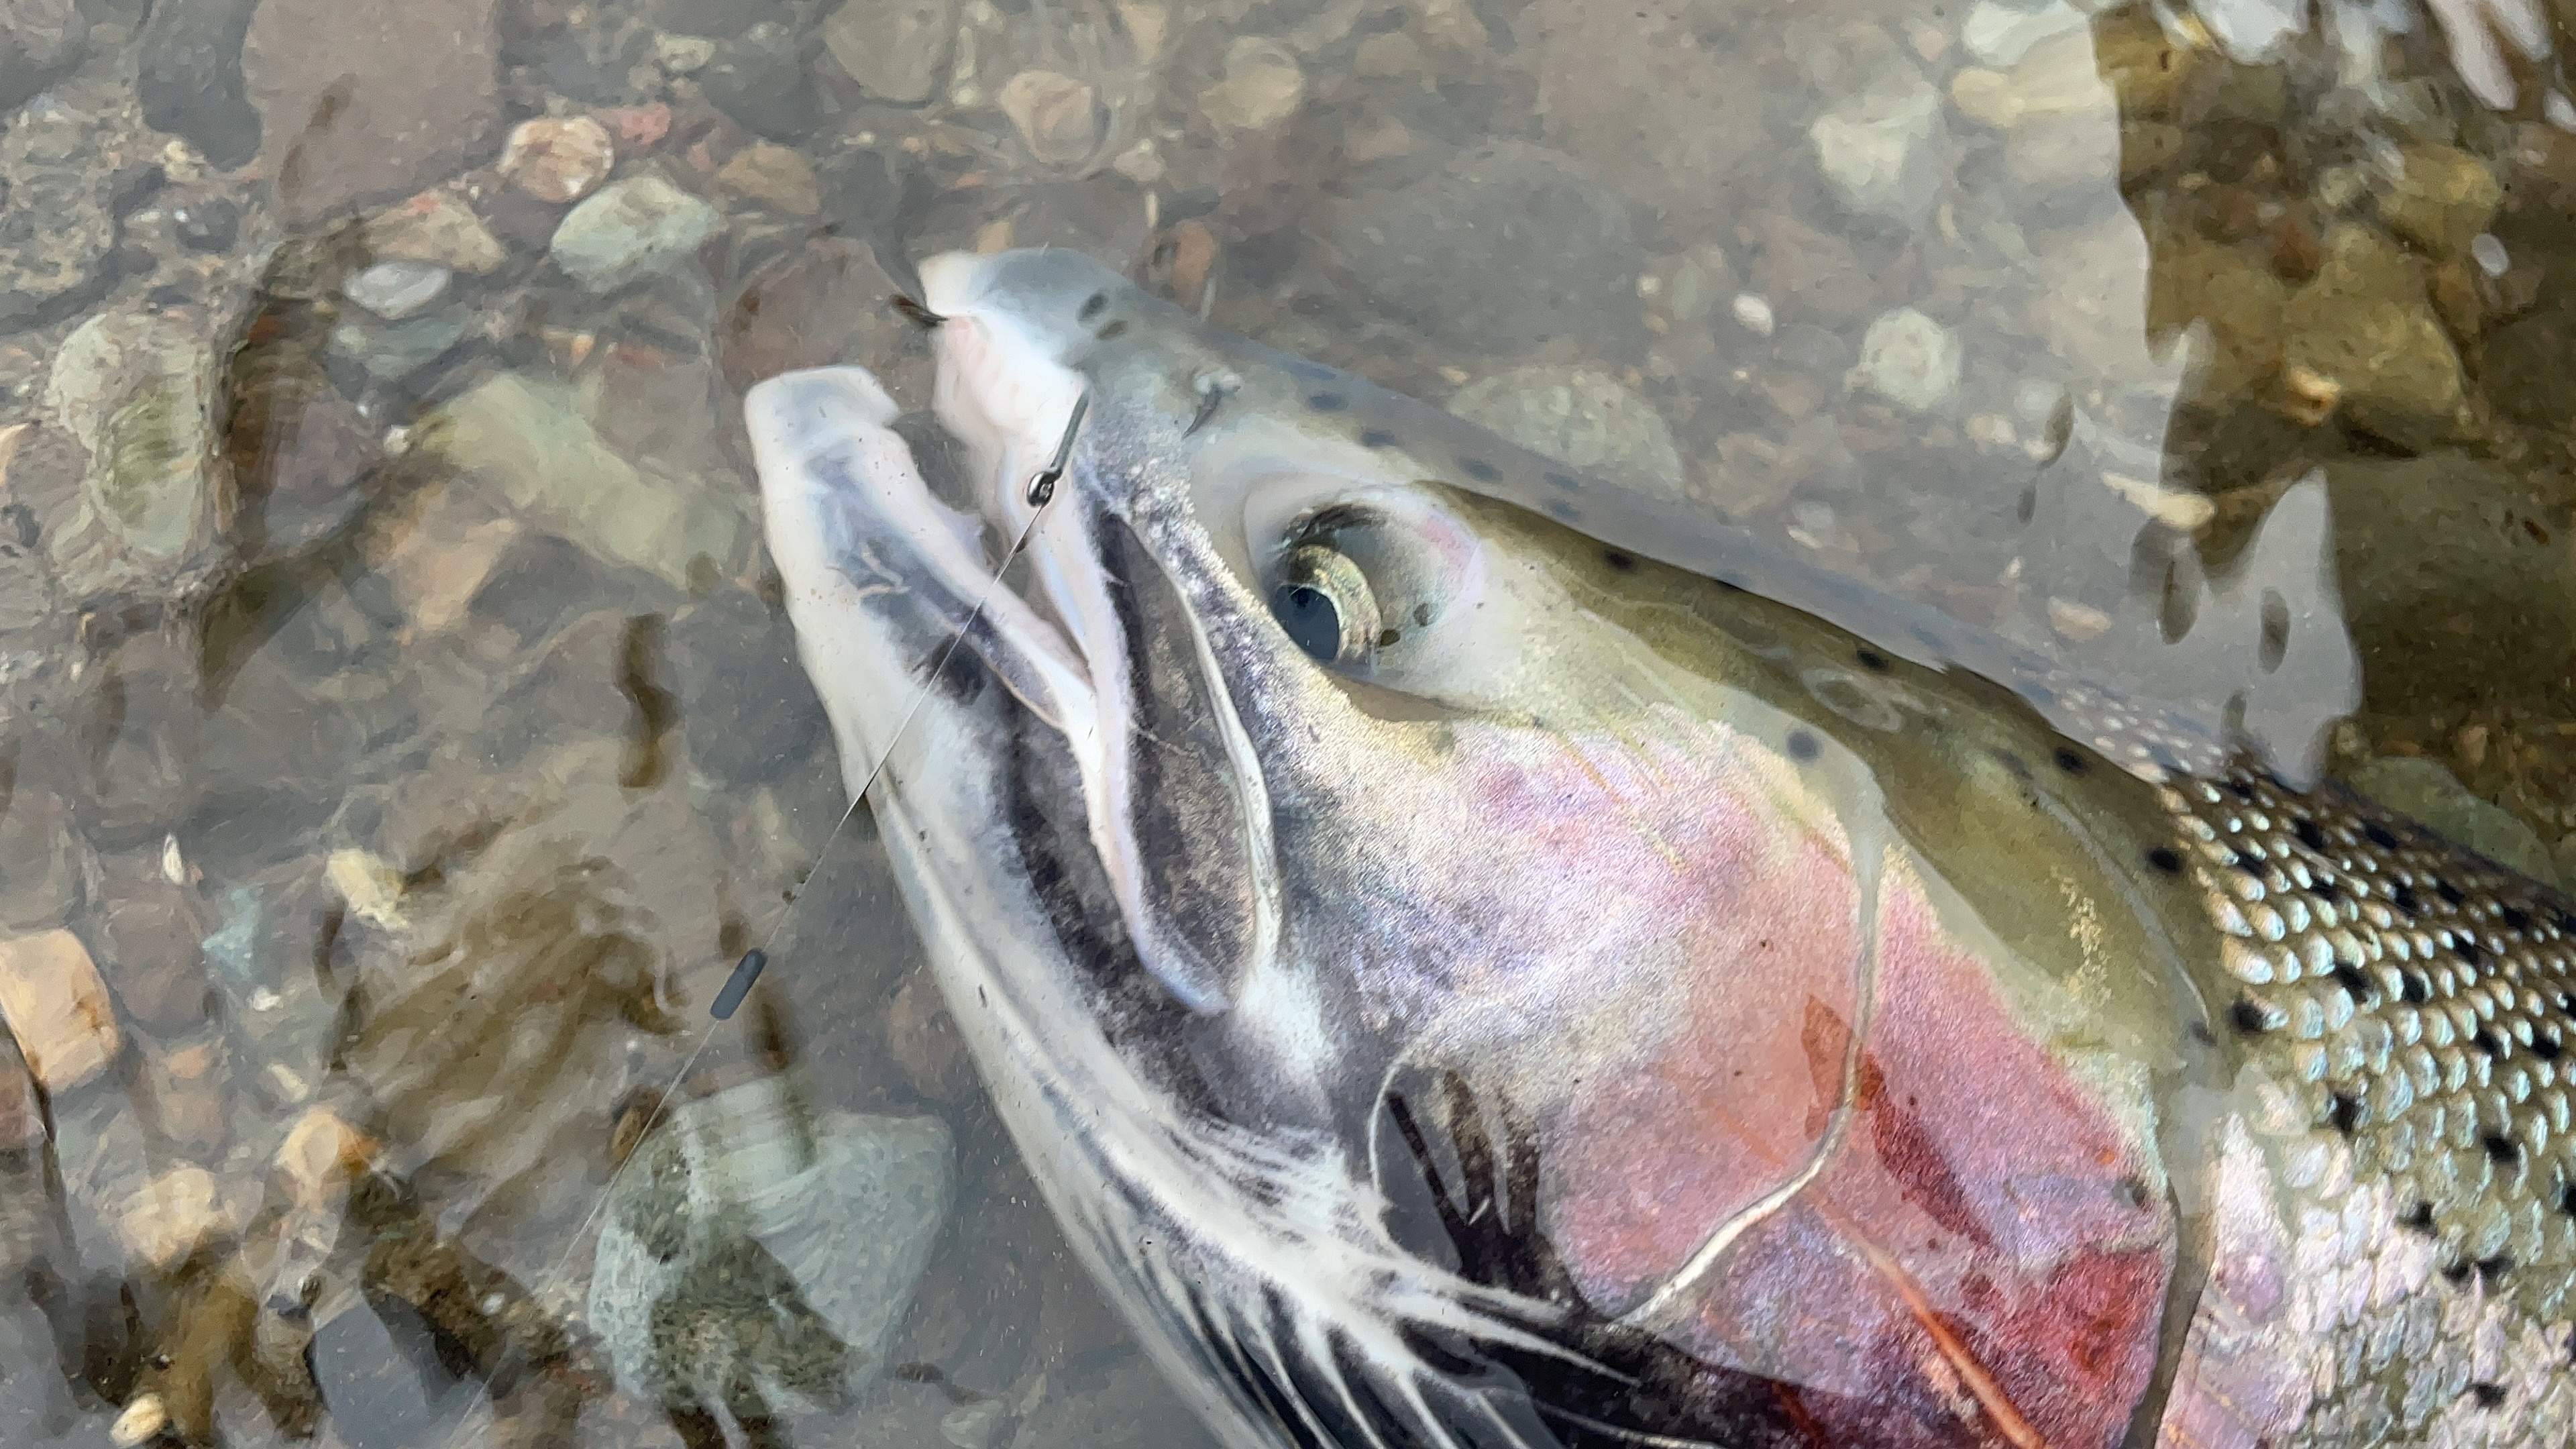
(1405, 929)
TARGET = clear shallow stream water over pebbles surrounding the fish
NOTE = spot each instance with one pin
(401, 721)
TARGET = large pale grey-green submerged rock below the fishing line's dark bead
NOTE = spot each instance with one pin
(759, 1254)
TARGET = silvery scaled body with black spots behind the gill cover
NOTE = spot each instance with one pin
(2412, 1004)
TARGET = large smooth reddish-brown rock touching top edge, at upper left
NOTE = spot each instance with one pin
(362, 102)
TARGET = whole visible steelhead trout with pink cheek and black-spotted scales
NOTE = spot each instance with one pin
(1477, 963)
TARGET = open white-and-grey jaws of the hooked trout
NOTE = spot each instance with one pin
(1050, 589)
